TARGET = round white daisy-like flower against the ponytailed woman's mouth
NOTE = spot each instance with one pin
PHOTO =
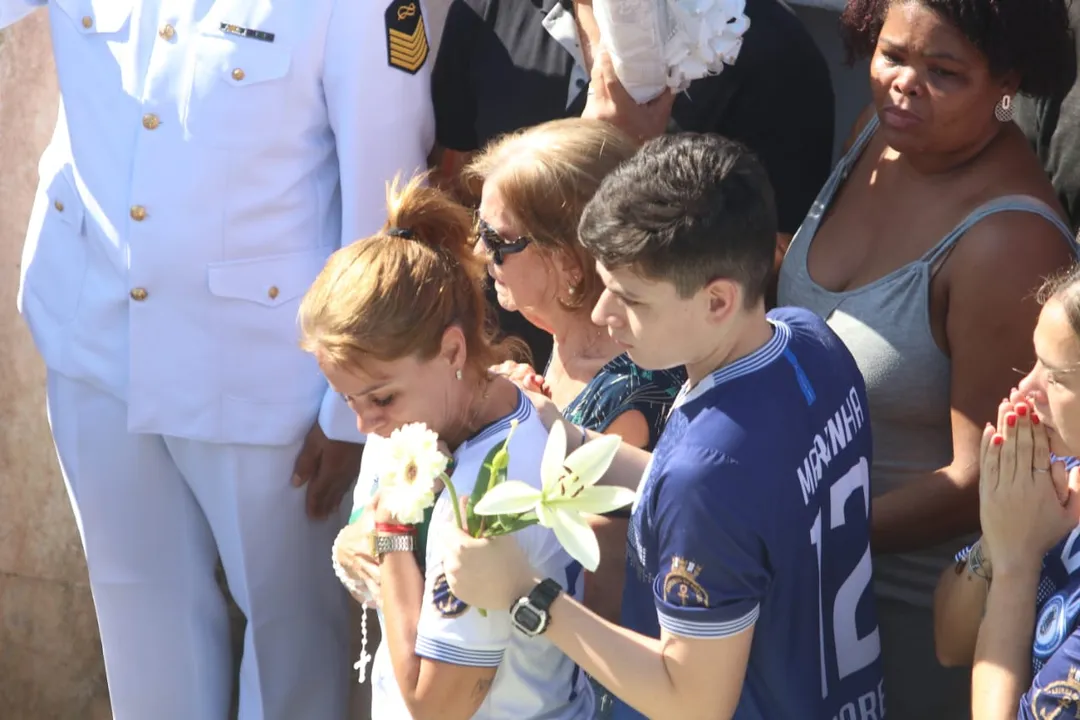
(412, 465)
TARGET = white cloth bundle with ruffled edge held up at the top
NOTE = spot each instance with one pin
(657, 45)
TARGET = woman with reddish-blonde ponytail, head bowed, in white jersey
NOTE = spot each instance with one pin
(399, 325)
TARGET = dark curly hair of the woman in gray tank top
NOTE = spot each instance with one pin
(1029, 37)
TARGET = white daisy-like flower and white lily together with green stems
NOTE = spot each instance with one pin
(498, 506)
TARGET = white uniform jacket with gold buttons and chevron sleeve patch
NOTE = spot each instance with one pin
(209, 157)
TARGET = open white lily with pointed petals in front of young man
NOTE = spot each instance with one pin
(569, 492)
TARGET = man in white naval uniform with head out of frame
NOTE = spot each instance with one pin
(209, 156)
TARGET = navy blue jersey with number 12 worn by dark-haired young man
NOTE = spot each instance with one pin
(755, 513)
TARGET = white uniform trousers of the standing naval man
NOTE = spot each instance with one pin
(155, 513)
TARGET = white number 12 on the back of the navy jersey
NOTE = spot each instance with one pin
(852, 654)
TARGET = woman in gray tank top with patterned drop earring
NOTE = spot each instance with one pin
(923, 252)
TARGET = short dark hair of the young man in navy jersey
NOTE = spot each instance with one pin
(688, 209)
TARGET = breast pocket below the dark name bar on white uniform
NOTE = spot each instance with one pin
(238, 88)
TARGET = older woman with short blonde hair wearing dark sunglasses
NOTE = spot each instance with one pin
(534, 186)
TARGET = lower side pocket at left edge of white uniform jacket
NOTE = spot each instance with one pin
(56, 256)
